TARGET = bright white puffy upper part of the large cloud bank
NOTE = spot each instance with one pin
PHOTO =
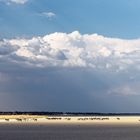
(73, 50)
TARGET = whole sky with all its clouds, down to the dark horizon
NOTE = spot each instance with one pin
(70, 56)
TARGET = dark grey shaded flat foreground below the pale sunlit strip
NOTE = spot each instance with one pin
(68, 132)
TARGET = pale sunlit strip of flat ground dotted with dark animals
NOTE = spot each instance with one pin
(70, 119)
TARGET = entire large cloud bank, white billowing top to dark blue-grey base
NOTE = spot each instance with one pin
(69, 72)
